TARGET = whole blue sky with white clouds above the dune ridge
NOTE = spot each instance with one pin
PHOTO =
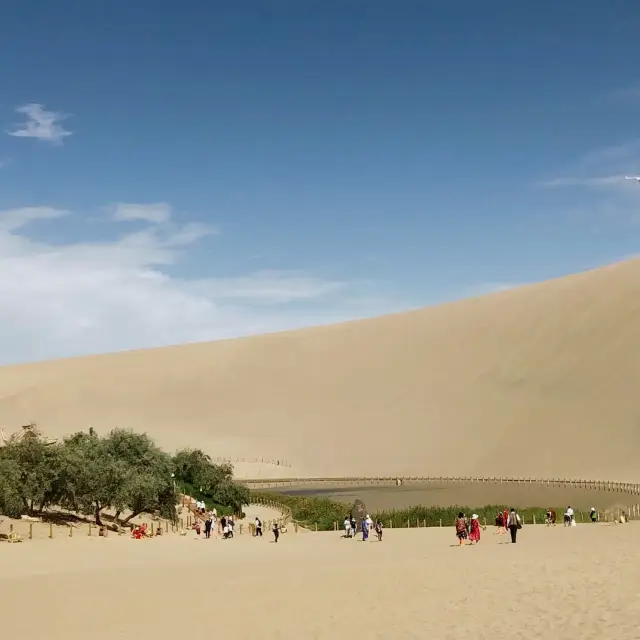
(173, 174)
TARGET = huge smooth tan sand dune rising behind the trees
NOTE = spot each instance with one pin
(537, 381)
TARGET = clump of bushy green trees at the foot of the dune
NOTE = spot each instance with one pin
(123, 470)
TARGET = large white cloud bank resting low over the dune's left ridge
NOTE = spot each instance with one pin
(87, 297)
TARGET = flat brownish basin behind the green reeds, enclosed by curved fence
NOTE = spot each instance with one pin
(471, 495)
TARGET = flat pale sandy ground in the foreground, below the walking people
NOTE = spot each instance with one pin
(415, 584)
